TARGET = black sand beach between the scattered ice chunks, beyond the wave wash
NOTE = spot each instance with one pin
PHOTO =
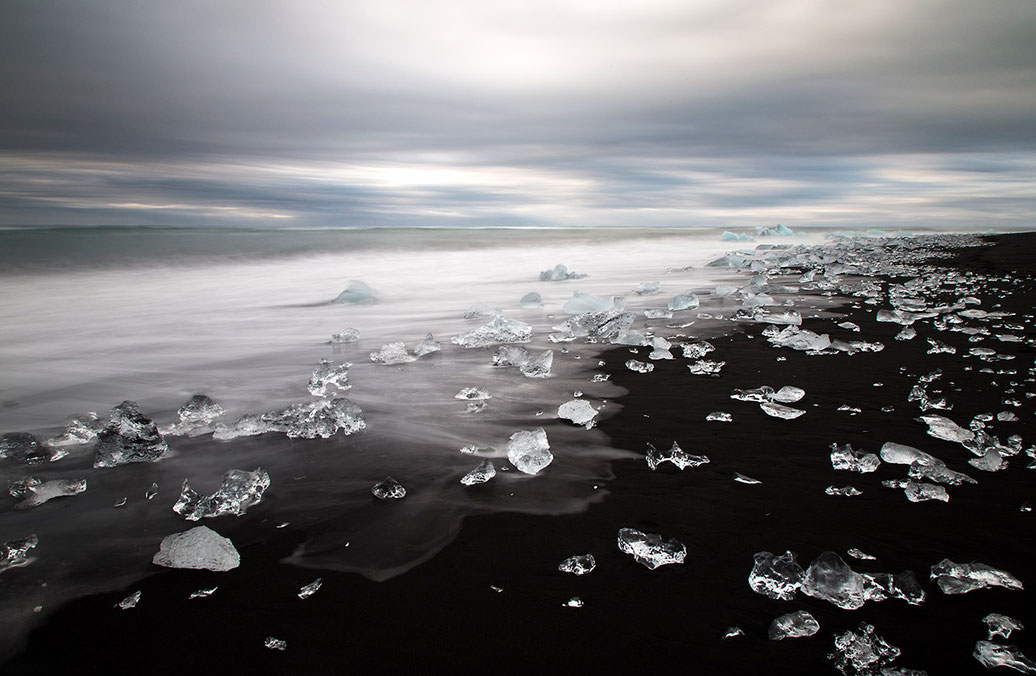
(445, 614)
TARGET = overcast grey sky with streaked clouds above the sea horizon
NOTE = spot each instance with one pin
(721, 113)
